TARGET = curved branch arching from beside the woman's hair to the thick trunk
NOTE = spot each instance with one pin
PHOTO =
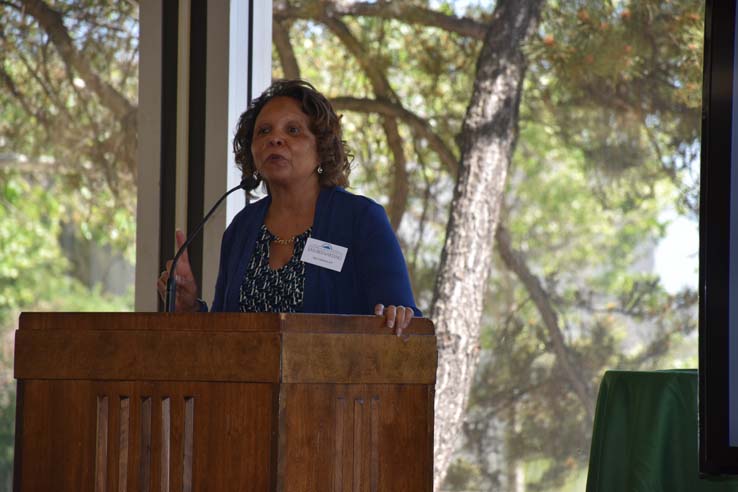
(419, 125)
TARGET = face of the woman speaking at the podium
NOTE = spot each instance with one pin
(283, 146)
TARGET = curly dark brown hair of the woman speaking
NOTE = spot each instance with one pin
(325, 124)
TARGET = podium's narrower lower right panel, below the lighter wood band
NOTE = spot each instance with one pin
(356, 437)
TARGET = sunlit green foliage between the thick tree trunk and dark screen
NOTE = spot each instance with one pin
(607, 144)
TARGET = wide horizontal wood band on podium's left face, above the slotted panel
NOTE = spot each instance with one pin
(66, 353)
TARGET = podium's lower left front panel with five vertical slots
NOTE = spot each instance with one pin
(146, 436)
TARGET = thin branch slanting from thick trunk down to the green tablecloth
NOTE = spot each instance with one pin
(515, 261)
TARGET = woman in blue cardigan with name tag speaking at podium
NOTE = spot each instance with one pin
(309, 245)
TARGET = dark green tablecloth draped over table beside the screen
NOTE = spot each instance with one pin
(645, 434)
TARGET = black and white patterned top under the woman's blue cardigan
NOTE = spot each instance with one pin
(275, 291)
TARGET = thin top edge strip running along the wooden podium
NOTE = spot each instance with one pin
(246, 322)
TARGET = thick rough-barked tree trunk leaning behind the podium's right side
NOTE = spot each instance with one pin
(490, 132)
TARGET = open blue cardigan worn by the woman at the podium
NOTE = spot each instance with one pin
(374, 271)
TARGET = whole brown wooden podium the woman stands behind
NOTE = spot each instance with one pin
(222, 402)
